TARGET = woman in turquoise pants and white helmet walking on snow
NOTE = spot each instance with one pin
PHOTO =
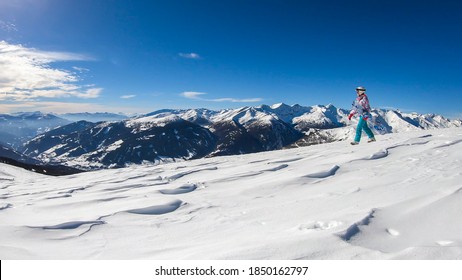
(361, 107)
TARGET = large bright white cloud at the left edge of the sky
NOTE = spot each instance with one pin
(27, 75)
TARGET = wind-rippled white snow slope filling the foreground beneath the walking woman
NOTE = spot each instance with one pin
(397, 198)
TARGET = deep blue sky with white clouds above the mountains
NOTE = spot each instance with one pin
(139, 56)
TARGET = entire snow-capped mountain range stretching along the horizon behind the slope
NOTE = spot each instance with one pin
(187, 134)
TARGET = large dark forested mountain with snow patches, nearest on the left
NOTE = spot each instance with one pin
(115, 144)
